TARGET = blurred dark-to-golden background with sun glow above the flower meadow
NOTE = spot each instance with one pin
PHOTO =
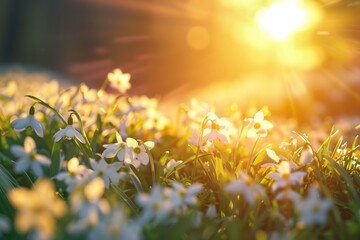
(298, 57)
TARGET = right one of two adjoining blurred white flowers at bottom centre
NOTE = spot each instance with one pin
(181, 196)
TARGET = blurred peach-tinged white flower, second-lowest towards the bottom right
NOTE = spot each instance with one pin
(247, 187)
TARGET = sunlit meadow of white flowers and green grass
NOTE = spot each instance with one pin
(81, 163)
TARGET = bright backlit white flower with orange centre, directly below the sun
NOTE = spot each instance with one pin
(258, 126)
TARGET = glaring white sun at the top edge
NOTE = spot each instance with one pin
(283, 18)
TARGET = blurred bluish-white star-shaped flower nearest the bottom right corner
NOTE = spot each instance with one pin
(313, 209)
